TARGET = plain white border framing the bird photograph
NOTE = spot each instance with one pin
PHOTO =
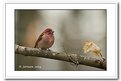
(111, 72)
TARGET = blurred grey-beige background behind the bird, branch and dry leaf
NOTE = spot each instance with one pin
(72, 28)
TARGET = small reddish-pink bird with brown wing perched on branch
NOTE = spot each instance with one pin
(45, 40)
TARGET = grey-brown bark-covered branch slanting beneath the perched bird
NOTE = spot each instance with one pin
(74, 58)
